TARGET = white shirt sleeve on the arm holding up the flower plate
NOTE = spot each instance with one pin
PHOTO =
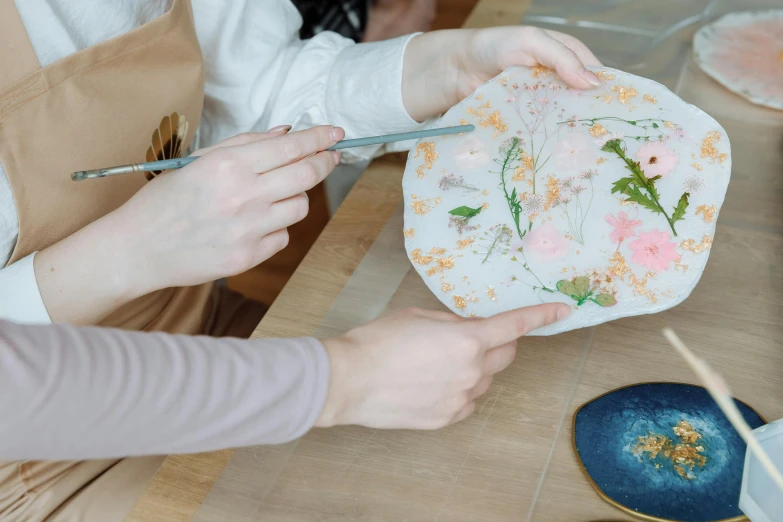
(259, 74)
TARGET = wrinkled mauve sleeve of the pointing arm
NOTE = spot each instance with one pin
(89, 393)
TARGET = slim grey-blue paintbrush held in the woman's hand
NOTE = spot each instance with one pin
(178, 163)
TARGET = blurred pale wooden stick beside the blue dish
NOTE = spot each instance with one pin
(722, 395)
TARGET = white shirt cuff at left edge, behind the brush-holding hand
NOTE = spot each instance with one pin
(20, 299)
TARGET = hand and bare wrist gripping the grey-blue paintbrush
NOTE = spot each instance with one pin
(219, 216)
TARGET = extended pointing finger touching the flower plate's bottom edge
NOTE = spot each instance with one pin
(510, 326)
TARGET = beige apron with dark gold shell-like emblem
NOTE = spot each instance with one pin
(133, 98)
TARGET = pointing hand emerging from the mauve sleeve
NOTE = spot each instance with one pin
(421, 369)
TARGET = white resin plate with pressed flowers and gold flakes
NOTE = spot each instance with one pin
(604, 199)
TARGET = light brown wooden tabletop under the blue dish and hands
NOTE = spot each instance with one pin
(512, 460)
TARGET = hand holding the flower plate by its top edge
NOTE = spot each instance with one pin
(443, 67)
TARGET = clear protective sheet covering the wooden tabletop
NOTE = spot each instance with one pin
(513, 459)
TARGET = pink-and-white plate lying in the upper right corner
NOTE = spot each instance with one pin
(743, 51)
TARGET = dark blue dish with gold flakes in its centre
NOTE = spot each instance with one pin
(663, 451)
